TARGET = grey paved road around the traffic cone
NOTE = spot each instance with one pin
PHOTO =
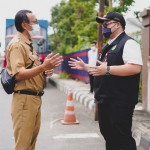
(54, 136)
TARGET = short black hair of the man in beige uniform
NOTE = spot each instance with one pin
(21, 17)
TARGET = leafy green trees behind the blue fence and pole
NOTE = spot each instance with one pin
(74, 25)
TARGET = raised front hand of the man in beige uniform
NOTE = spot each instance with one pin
(52, 61)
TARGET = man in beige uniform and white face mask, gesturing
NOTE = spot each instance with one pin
(23, 63)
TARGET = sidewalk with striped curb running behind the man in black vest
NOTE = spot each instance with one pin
(141, 119)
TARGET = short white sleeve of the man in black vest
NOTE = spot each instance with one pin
(132, 53)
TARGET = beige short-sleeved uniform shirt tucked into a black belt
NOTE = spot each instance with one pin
(19, 56)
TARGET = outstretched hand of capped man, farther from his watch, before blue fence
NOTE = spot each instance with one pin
(77, 64)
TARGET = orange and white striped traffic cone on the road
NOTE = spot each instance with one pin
(69, 117)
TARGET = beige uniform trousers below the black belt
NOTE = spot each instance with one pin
(26, 118)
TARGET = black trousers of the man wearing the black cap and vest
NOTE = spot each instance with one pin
(115, 124)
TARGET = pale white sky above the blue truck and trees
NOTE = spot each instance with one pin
(41, 8)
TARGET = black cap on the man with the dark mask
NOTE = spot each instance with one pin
(112, 16)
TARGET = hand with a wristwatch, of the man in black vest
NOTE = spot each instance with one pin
(98, 70)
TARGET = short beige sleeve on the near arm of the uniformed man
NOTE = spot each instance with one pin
(16, 59)
